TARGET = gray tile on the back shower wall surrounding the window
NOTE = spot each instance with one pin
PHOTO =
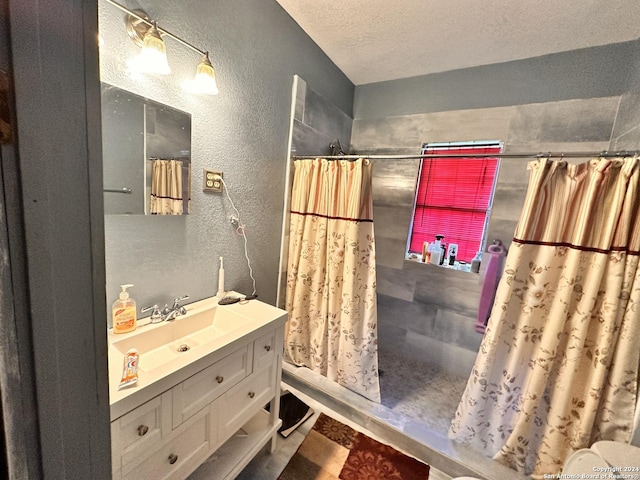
(426, 311)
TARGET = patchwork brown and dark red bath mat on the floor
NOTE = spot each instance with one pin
(333, 450)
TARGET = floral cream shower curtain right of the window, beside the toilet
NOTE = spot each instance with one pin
(558, 366)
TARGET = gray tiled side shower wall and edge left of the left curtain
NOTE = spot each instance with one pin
(317, 123)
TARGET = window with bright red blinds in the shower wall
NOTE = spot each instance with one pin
(454, 196)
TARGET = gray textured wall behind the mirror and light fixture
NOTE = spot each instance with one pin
(256, 48)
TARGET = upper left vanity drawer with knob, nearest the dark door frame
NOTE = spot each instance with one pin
(138, 433)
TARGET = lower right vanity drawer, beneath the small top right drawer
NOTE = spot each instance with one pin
(245, 399)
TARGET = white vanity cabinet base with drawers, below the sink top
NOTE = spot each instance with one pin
(211, 422)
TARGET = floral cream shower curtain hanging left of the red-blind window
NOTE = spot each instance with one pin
(331, 275)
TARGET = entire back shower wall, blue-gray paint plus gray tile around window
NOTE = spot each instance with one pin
(585, 100)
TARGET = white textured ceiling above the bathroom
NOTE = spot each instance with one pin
(377, 40)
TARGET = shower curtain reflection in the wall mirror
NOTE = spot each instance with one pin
(166, 187)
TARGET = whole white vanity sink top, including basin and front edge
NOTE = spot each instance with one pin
(207, 329)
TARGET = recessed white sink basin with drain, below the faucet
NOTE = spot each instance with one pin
(164, 342)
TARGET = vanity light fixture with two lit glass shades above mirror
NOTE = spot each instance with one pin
(153, 56)
